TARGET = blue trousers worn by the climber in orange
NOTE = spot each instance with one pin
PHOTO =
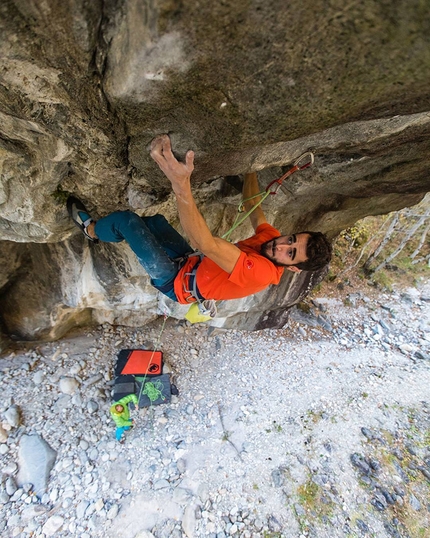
(156, 244)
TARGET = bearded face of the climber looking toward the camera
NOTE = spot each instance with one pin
(287, 250)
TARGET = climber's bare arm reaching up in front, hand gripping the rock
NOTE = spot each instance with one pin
(218, 250)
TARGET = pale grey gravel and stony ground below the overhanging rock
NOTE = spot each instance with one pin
(321, 429)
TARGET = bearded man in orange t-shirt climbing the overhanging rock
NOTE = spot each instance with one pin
(223, 270)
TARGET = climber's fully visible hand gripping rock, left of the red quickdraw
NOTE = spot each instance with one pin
(176, 172)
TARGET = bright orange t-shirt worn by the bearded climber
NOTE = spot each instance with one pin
(251, 274)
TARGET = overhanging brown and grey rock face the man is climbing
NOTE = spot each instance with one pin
(248, 85)
